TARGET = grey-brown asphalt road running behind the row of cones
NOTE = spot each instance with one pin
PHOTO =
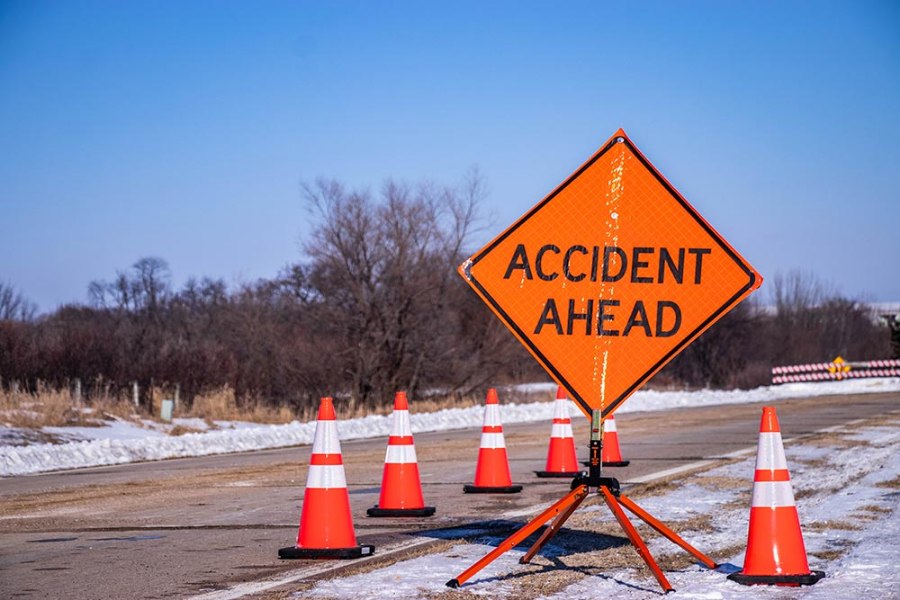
(184, 527)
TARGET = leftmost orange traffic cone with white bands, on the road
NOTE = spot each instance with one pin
(326, 525)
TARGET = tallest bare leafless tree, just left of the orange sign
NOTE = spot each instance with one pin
(381, 269)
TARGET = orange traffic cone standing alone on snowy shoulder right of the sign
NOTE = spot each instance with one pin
(775, 551)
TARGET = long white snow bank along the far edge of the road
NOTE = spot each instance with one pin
(122, 442)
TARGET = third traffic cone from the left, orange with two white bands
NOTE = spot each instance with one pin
(492, 472)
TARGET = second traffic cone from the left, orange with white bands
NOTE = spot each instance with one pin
(401, 490)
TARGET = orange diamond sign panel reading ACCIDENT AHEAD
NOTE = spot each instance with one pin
(609, 277)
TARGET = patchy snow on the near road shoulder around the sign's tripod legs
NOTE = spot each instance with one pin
(866, 568)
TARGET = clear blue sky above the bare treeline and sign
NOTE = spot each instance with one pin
(183, 130)
